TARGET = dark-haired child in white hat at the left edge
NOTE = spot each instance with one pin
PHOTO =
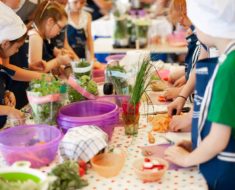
(12, 35)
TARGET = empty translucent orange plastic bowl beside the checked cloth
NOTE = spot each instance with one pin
(108, 164)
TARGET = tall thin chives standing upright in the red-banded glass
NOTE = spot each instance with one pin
(142, 81)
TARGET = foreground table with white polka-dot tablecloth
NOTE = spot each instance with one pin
(189, 179)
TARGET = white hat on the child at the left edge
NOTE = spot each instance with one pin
(11, 26)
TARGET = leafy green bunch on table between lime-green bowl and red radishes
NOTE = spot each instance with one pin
(67, 177)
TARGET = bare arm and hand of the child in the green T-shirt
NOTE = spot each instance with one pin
(206, 150)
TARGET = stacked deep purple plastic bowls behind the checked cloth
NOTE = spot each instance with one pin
(91, 112)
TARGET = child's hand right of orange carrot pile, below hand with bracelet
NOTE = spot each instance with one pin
(180, 123)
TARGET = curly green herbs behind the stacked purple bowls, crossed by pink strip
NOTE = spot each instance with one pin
(86, 83)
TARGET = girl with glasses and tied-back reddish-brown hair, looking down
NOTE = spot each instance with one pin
(50, 17)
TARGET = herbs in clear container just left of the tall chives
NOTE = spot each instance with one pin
(120, 84)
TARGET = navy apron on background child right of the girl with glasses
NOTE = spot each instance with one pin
(77, 40)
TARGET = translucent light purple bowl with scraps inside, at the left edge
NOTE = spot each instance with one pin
(37, 144)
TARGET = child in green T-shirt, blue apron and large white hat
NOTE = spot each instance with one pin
(213, 139)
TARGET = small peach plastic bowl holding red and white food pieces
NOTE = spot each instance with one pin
(149, 175)
